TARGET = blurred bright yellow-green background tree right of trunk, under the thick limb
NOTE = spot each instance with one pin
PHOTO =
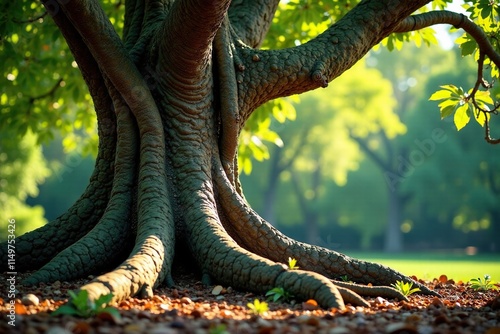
(318, 148)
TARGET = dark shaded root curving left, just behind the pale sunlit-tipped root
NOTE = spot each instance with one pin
(101, 245)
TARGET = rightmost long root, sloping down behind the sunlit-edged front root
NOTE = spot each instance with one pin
(258, 236)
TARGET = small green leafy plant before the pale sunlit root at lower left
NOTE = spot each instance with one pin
(81, 306)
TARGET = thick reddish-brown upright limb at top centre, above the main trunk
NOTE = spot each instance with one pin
(187, 36)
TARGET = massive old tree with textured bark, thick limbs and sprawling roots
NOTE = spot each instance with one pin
(171, 96)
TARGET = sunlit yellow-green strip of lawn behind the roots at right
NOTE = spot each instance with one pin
(457, 266)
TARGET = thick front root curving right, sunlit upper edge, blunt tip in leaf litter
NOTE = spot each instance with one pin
(220, 257)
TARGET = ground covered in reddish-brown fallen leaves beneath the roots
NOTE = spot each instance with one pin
(191, 307)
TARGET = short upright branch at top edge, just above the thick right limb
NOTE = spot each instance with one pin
(251, 19)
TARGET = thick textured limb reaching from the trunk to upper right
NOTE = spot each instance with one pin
(277, 73)
